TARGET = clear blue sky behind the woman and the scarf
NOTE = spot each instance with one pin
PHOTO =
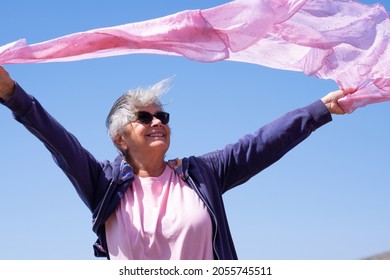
(327, 199)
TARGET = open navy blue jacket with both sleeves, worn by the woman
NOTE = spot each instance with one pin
(102, 184)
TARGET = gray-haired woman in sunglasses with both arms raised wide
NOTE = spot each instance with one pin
(145, 207)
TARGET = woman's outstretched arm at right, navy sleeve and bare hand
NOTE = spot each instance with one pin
(240, 161)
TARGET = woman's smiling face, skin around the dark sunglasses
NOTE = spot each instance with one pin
(140, 139)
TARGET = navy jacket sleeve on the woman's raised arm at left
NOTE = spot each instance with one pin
(78, 164)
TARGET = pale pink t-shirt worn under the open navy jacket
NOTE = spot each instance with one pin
(160, 218)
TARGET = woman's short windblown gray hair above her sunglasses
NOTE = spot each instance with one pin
(125, 107)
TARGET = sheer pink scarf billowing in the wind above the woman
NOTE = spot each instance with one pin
(341, 40)
